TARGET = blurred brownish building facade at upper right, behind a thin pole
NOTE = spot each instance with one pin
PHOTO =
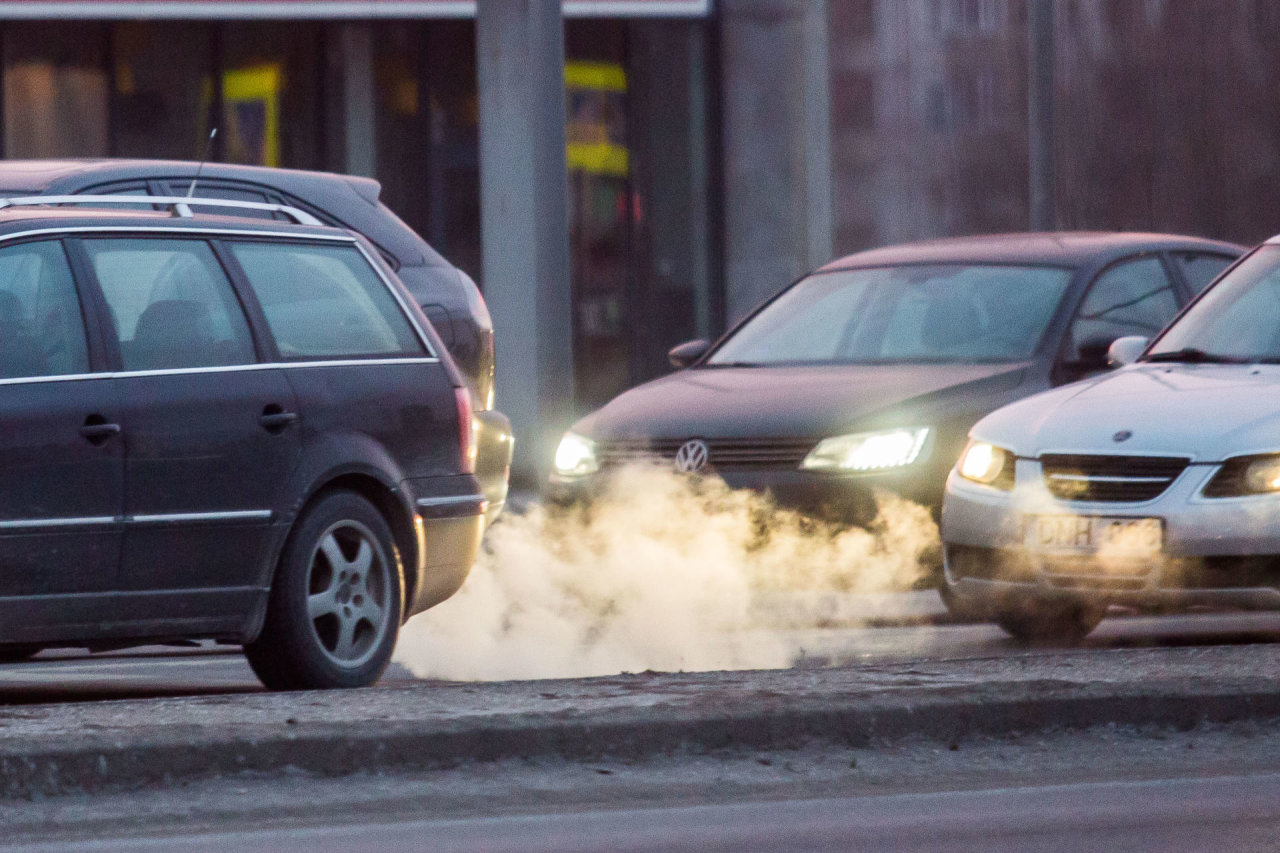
(1164, 117)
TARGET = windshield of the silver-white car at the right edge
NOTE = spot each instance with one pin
(1238, 320)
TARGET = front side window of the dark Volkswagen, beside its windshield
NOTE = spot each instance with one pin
(1131, 298)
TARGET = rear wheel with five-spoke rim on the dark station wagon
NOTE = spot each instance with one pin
(336, 604)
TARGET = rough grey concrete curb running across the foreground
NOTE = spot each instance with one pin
(173, 754)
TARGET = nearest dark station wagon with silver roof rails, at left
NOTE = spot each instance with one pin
(223, 427)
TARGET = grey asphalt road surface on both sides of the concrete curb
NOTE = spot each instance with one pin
(1105, 790)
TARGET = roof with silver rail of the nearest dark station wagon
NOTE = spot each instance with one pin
(20, 221)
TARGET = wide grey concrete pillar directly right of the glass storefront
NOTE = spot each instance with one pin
(776, 144)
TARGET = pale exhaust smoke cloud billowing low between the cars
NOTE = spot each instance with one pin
(661, 572)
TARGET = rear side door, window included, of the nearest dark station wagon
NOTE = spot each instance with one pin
(209, 428)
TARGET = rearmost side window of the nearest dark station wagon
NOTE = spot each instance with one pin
(326, 302)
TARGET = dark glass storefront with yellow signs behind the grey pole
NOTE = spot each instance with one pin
(638, 150)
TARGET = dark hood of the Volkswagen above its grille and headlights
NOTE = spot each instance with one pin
(797, 402)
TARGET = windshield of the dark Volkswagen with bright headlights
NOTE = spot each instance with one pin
(939, 313)
